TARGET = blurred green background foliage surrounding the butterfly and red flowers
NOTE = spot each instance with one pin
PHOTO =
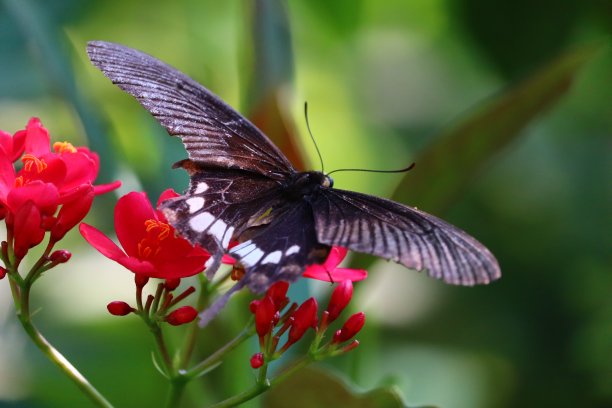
(504, 105)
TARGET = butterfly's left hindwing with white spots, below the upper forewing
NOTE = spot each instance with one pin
(218, 206)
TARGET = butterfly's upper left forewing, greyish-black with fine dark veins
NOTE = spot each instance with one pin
(212, 132)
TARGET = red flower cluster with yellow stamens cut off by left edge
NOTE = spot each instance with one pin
(50, 191)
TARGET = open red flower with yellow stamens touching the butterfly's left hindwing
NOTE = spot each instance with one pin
(151, 246)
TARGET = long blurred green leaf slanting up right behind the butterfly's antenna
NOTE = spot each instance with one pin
(445, 168)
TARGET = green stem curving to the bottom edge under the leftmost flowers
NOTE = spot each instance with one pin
(22, 304)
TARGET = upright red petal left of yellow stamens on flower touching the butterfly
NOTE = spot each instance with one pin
(131, 212)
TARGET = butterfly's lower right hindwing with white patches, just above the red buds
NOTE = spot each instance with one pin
(282, 249)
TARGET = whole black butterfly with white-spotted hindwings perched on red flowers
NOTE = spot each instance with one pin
(243, 188)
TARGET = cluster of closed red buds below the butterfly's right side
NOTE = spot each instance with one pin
(297, 320)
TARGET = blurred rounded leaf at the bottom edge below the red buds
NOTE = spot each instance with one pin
(314, 387)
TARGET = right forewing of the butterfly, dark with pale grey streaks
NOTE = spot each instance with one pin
(406, 235)
